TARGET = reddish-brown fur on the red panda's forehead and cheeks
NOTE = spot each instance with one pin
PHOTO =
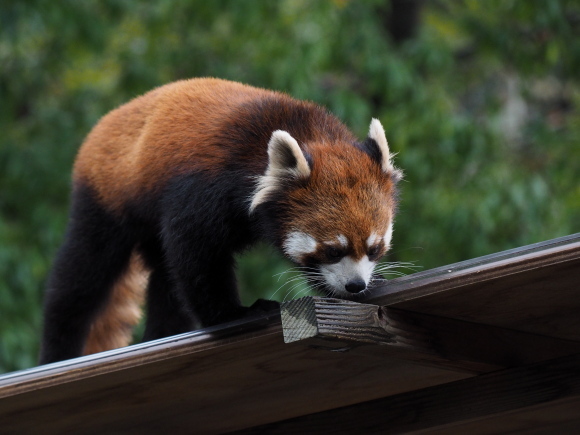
(353, 201)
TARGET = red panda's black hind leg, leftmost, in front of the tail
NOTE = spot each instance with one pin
(94, 254)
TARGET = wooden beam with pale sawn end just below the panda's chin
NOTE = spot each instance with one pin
(340, 325)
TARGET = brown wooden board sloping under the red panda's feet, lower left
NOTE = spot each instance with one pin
(223, 379)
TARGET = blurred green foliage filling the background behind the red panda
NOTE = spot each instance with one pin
(481, 103)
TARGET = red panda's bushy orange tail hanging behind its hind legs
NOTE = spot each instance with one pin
(113, 327)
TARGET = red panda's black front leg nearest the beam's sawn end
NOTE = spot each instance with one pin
(202, 227)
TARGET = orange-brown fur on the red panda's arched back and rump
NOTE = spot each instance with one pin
(137, 147)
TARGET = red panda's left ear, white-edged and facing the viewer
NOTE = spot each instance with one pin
(285, 159)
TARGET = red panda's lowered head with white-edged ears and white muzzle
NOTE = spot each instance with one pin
(333, 205)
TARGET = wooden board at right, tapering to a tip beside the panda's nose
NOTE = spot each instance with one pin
(534, 289)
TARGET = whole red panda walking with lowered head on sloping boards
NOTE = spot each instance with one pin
(191, 173)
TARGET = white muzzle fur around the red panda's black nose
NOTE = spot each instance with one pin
(339, 274)
